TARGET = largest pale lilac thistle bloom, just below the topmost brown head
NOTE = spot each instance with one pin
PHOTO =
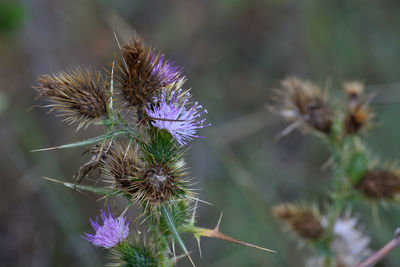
(169, 114)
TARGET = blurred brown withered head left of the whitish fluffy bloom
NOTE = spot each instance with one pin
(304, 221)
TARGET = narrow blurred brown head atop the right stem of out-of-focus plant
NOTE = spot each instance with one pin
(358, 115)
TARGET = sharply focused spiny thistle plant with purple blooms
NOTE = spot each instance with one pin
(148, 120)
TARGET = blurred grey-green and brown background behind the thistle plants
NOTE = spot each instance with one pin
(234, 52)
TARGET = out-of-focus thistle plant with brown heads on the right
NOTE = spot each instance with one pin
(331, 229)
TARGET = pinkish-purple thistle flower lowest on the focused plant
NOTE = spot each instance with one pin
(111, 233)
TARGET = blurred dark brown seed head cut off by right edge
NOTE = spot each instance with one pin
(379, 184)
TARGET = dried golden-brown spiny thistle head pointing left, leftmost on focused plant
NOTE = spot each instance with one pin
(78, 95)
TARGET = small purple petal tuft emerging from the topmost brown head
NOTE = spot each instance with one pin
(165, 70)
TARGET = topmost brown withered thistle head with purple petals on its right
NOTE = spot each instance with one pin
(141, 73)
